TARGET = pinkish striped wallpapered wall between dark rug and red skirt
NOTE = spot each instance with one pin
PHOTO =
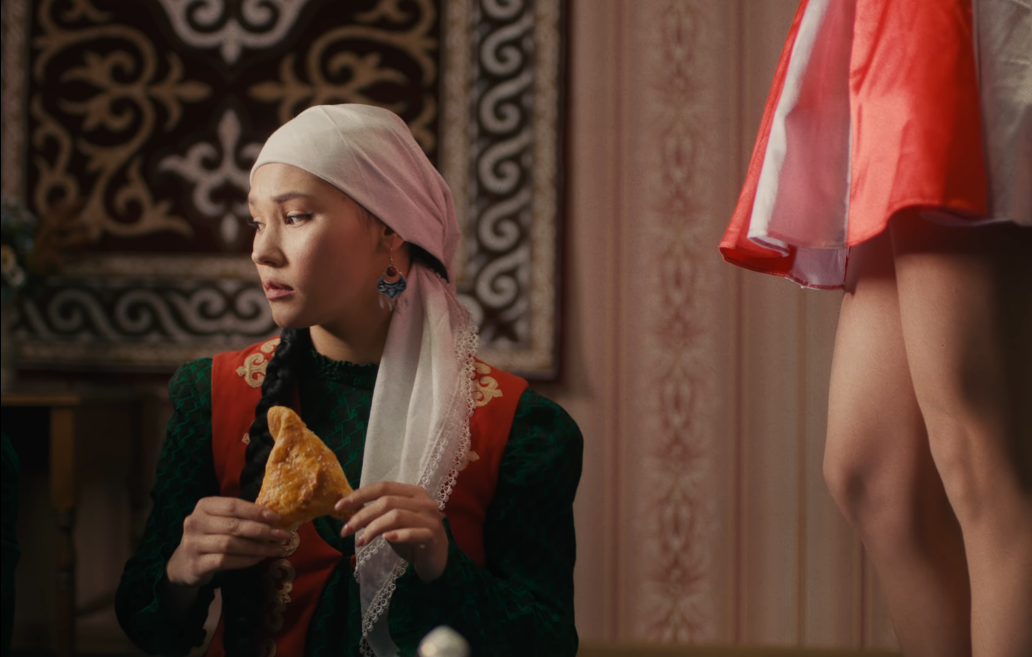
(701, 389)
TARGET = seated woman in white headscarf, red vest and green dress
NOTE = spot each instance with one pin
(463, 514)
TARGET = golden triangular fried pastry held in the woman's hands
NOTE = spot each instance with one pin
(304, 480)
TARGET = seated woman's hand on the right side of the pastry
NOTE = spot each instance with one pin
(407, 518)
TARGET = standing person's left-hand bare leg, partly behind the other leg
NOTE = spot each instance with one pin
(881, 472)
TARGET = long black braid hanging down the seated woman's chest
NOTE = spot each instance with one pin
(242, 594)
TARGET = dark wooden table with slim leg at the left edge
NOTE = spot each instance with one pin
(66, 410)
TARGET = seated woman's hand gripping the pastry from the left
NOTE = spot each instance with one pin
(224, 534)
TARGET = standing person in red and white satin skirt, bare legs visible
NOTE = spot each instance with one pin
(895, 161)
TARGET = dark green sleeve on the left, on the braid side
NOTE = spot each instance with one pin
(186, 474)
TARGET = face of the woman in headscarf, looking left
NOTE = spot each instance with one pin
(318, 253)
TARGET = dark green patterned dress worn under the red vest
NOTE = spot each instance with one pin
(521, 603)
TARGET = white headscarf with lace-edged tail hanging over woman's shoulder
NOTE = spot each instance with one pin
(420, 423)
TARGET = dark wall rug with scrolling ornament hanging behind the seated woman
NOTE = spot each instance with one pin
(147, 116)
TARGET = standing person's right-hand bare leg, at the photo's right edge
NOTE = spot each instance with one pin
(966, 311)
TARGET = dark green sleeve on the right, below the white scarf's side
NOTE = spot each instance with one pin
(522, 603)
